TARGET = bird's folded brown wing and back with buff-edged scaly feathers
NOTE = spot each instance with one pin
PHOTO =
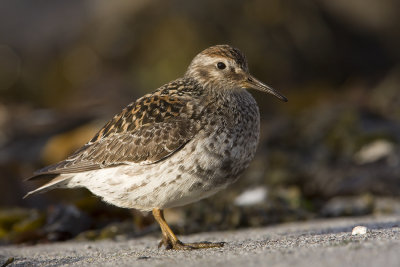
(145, 132)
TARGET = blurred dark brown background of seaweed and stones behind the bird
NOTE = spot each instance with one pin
(66, 67)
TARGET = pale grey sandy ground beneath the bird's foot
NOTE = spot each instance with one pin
(315, 243)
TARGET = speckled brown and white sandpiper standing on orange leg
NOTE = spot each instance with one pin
(183, 142)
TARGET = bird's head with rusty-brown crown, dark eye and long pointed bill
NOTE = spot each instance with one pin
(224, 67)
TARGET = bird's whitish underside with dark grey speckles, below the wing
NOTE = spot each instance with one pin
(204, 166)
